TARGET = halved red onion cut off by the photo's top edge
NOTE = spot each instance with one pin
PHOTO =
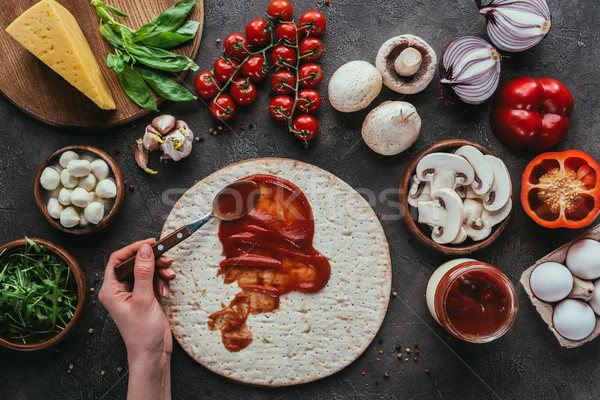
(516, 25)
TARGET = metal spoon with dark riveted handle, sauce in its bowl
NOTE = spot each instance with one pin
(233, 202)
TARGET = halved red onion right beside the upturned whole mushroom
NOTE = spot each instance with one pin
(471, 67)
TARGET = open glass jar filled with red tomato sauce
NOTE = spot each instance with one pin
(472, 300)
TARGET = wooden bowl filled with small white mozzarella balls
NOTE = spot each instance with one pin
(79, 189)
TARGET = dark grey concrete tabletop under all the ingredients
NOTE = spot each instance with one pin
(527, 363)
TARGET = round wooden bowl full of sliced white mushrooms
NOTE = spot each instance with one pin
(457, 197)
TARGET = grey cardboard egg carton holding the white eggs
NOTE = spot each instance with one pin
(582, 289)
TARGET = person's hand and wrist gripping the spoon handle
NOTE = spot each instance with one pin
(140, 318)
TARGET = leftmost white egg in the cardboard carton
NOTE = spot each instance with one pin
(551, 281)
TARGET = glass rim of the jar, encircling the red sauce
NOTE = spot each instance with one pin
(443, 290)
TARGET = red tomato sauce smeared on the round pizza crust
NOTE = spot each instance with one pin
(269, 253)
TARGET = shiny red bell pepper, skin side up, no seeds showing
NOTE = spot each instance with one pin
(531, 113)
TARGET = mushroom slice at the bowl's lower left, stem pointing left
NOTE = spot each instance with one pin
(443, 214)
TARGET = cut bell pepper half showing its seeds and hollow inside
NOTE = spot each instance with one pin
(562, 190)
